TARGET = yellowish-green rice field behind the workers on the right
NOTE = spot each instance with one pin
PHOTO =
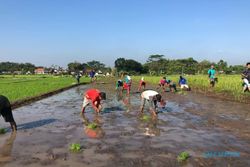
(228, 85)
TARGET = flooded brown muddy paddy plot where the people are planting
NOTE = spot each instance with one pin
(190, 122)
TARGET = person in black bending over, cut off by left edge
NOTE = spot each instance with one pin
(6, 112)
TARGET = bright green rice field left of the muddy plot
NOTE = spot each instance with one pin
(23, 86)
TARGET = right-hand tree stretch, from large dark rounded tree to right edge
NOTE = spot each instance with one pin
(158, 64)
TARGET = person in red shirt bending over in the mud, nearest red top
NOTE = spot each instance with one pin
(93, 96)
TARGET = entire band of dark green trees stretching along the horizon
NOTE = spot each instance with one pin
(155, 65)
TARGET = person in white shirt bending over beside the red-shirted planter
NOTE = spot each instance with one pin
(152, 97)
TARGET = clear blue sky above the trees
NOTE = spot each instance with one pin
(46, 32)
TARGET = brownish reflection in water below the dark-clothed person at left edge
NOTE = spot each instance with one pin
(6, 148)
